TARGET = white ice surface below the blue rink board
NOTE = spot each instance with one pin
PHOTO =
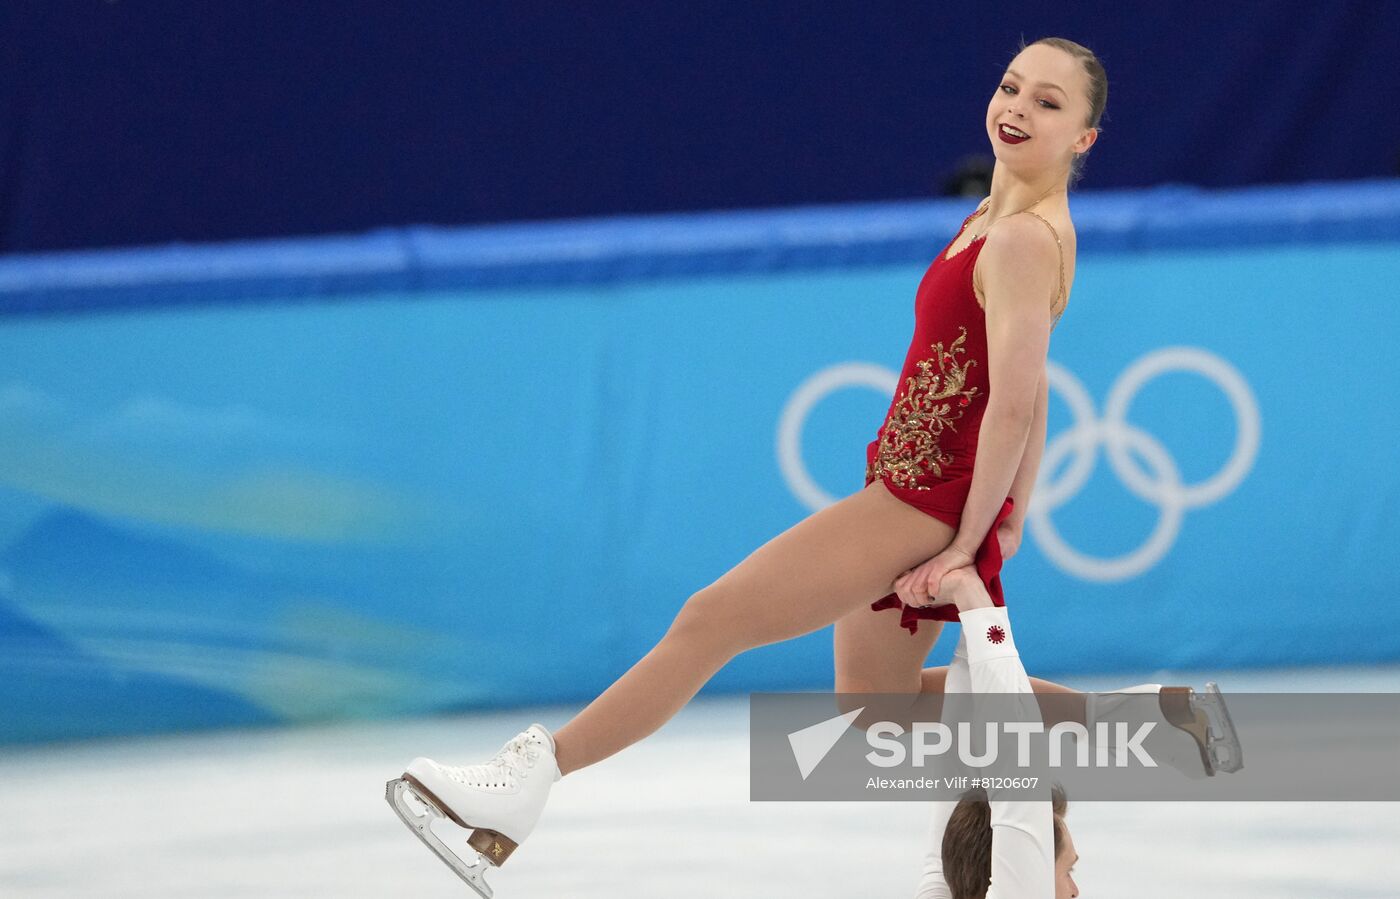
(302, 813)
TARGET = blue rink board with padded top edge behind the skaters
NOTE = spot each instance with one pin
(444, 470)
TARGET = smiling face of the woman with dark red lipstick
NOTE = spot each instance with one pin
(1044, 95)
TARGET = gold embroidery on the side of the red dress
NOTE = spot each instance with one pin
(930, 403)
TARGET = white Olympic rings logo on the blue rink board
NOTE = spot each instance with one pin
(1160, 485)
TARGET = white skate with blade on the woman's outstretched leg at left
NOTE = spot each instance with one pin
(499, 802)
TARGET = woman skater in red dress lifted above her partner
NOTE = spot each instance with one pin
(948, 480)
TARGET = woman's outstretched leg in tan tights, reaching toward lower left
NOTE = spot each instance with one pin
(828, 565)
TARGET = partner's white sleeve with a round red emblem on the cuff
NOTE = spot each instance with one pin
(1023, 832)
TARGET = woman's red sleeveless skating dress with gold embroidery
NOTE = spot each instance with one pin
(925, 450)
